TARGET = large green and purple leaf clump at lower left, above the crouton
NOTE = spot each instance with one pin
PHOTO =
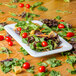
(8, 65)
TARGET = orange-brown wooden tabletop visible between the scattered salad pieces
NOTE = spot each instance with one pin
(52, 6)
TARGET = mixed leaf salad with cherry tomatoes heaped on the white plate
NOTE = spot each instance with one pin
(38, 38)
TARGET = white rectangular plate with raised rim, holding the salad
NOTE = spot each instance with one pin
(66, 46)
